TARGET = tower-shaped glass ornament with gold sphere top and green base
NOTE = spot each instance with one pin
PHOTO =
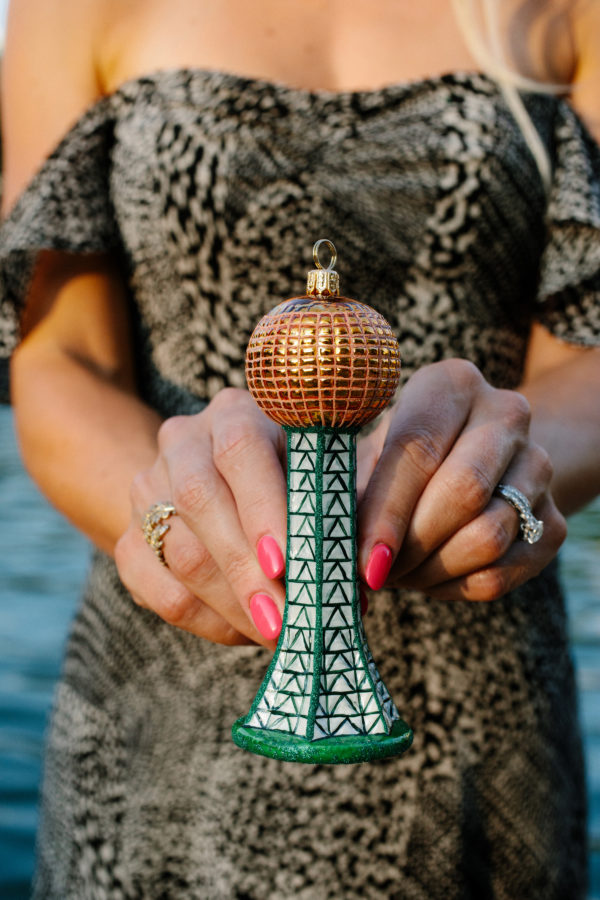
(322, 366)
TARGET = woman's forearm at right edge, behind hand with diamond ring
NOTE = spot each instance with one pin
(565, 402)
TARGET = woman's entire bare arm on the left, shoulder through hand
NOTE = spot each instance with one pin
(85, 435)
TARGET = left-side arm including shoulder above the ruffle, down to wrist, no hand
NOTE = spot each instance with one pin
(74, 363)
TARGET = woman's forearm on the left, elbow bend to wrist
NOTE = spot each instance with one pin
(83, 438)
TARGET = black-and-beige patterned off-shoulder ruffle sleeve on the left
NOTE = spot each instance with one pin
(66, 206)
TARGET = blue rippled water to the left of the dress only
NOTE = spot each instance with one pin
(42, 564)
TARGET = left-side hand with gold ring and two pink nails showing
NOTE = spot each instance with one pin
(222, 470)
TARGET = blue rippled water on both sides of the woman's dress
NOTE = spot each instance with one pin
(42, 565)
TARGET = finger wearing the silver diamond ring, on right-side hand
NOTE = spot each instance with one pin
(488, 537)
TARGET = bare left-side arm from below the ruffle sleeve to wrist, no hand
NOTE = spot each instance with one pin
(83, 432)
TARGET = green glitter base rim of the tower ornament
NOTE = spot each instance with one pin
(348, 749)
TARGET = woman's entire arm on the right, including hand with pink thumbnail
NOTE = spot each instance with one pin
(430, 498)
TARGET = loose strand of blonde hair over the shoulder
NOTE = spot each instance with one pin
(485, 43)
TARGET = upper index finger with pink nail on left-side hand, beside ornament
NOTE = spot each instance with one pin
(247, 450)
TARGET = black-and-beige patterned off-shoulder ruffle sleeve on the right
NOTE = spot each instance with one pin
(569, 285)
